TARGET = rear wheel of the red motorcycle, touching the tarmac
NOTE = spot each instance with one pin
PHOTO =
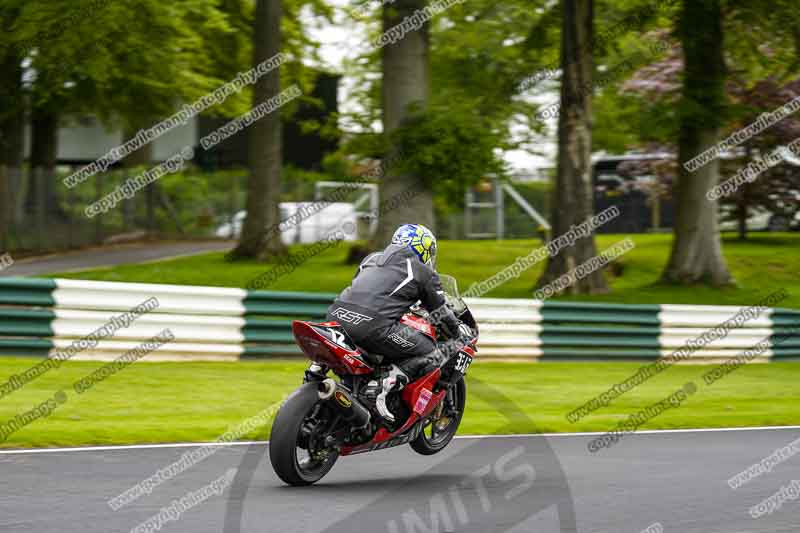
(296, 448)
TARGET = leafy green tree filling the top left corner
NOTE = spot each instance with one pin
(131, 66)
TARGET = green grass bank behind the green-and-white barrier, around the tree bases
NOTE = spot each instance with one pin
(763, 264)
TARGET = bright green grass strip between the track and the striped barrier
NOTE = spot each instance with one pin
(172, 402)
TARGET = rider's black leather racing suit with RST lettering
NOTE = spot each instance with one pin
(386, 285)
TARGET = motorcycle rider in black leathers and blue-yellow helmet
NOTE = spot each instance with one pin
(386, 285)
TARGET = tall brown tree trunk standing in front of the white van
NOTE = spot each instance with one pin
(264, 184)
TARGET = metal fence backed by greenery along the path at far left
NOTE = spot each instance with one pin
(44, 215)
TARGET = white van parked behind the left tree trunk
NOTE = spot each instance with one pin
(312, 223)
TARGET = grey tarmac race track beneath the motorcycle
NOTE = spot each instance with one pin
(653, 482)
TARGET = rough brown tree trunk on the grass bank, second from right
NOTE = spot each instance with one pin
(573, 192)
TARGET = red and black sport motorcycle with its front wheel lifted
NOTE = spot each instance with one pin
(325, 419)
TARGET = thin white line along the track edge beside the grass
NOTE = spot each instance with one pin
(520, 435)
